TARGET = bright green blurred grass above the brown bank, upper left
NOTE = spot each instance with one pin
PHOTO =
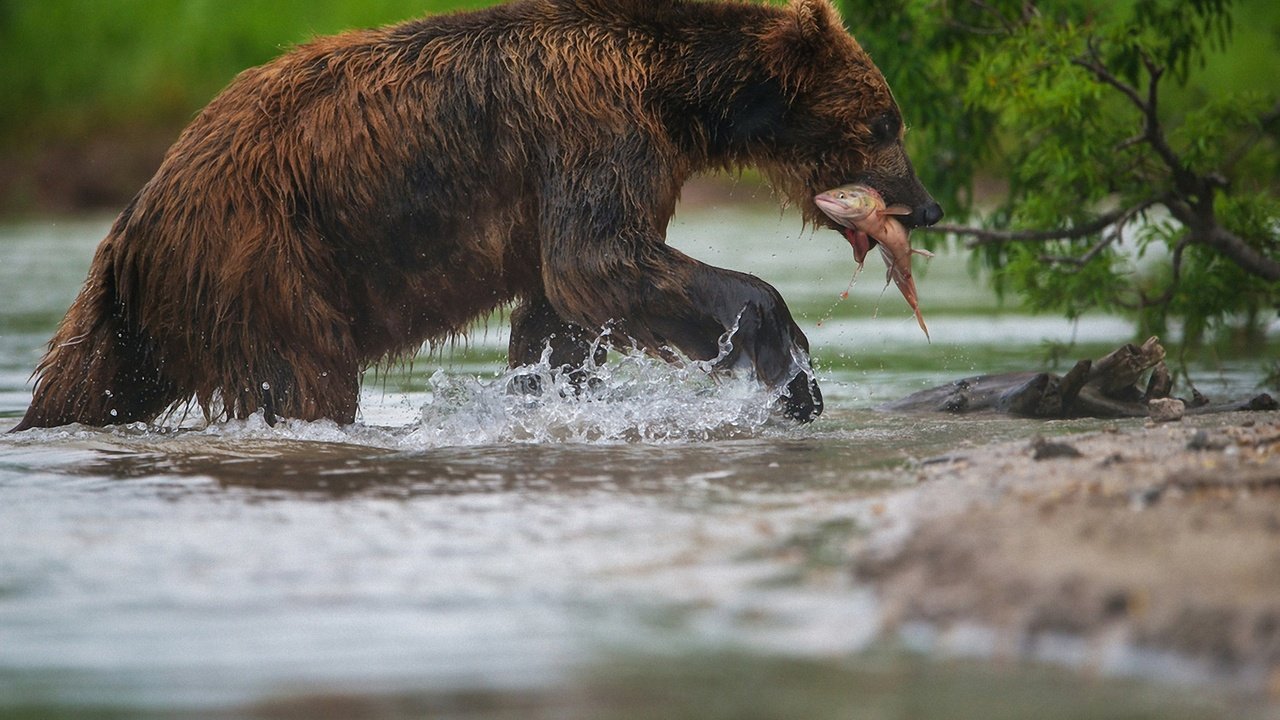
(71, 67)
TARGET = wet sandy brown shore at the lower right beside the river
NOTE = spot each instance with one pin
(1163, 541)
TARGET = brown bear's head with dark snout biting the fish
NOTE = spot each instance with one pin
(842, 124)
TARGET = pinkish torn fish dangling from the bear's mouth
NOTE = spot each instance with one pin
(868, 222)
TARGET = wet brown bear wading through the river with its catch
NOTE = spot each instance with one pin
(367, 193)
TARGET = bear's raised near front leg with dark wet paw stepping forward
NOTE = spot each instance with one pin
(605, 259)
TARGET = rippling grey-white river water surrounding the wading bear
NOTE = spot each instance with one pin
(666, 548)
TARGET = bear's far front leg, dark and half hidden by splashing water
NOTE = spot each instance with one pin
(534, 327)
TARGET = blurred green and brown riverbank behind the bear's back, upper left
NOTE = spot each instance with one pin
(94, 92)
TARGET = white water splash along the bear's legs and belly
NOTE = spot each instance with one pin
(632, 398)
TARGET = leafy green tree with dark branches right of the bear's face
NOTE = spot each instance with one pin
(1141, 179)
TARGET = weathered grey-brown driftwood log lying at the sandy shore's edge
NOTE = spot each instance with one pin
(1109, 388)
